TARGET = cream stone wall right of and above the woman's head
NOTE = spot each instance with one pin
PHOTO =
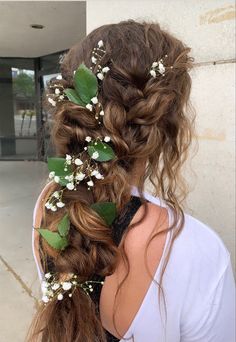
(208, 27)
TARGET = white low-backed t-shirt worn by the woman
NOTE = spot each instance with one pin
(199, 289)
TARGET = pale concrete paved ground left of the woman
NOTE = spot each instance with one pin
(20, 184)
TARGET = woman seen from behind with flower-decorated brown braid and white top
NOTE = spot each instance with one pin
(118, 263)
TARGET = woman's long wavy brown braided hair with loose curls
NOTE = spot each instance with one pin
(146, 119)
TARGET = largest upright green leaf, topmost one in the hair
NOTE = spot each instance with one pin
(86, 84)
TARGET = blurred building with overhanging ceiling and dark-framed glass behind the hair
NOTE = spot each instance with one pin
(30, 54)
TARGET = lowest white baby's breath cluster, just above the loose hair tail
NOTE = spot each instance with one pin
(52, 288)
